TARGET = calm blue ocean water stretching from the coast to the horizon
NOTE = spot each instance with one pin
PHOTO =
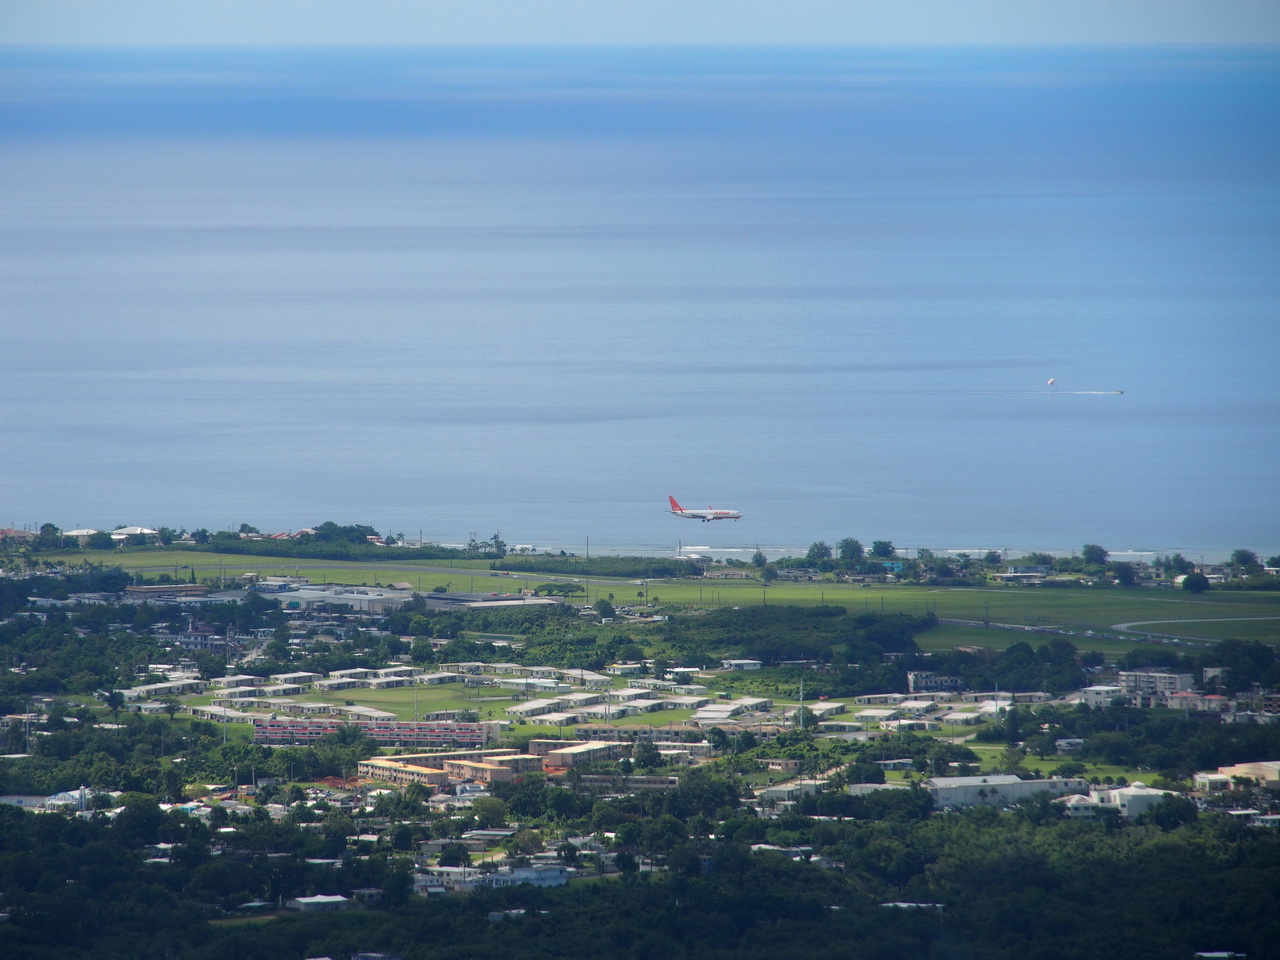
(538, 291)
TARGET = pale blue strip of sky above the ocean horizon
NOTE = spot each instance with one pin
(378, 22)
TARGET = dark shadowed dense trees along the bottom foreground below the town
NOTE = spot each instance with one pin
(1013, 885)
